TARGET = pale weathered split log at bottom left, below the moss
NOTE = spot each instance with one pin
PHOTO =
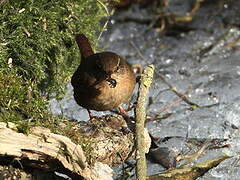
(43, 150)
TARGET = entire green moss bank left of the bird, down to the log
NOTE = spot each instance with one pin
(38, 55)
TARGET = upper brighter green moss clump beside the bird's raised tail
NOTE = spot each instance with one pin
(39, 37)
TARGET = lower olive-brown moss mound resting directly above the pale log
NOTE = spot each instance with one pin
(21, 102)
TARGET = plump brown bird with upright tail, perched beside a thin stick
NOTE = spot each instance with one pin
(103, 81)
